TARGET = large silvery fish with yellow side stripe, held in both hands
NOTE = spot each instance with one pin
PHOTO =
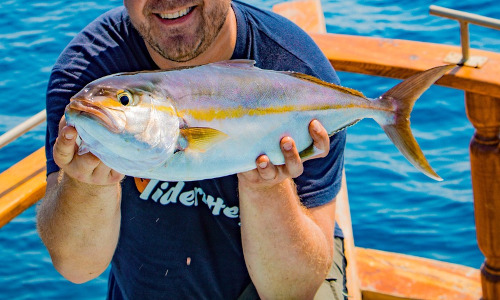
(214, 120)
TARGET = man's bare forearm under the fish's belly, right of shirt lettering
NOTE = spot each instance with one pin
(286, 251)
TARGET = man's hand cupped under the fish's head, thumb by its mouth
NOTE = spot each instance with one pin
(85, 168)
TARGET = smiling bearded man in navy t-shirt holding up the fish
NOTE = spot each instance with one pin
(271, 228)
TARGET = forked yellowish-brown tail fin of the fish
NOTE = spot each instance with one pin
(402, 97)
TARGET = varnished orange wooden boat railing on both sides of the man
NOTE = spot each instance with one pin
(378, 275)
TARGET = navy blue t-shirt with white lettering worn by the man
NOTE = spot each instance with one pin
(182, 240)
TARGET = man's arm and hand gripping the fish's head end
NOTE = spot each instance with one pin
(79, 217)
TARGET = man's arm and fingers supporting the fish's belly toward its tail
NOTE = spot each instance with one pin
(288, 248)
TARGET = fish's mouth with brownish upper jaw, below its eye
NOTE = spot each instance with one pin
(112, 119)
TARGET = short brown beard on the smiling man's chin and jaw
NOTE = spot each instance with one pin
(179, 48)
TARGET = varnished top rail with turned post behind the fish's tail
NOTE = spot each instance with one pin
(401, 59)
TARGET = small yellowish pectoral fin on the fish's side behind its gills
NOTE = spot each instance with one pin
(202, 138)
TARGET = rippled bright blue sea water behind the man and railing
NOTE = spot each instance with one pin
(393, 206)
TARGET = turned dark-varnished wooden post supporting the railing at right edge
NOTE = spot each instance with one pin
(484, 113)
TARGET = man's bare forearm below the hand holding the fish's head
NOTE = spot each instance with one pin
(79, 223)
